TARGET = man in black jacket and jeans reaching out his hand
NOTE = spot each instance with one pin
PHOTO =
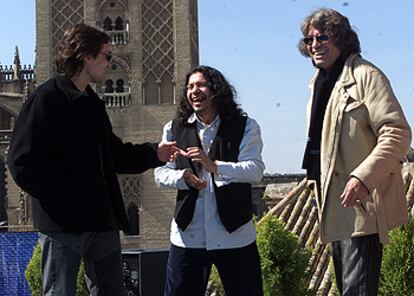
(64, 154)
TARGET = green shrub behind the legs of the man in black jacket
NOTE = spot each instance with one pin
(33, 275)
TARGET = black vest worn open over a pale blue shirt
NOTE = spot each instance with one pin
(234, 201)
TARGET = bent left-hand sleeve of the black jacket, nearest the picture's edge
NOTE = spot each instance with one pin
(31, 158)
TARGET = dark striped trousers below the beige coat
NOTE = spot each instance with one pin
(357, 263)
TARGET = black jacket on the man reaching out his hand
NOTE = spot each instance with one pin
(64, 154)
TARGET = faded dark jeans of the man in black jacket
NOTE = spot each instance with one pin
(60, 266)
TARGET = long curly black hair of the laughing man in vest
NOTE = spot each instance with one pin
(222, 93)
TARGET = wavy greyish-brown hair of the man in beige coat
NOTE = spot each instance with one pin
(336, 26)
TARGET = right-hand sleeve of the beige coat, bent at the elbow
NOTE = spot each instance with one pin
(391, 128)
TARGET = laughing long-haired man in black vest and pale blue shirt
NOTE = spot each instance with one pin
(221, 156)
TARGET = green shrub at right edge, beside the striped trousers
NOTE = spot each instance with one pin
(397, 274)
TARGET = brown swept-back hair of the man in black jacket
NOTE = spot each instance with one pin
(77, 42)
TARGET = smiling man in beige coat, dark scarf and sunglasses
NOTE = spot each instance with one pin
(357, 138)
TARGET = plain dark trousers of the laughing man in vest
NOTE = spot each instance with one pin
(188, 271)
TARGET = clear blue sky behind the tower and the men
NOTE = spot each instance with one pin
(254, 43)
